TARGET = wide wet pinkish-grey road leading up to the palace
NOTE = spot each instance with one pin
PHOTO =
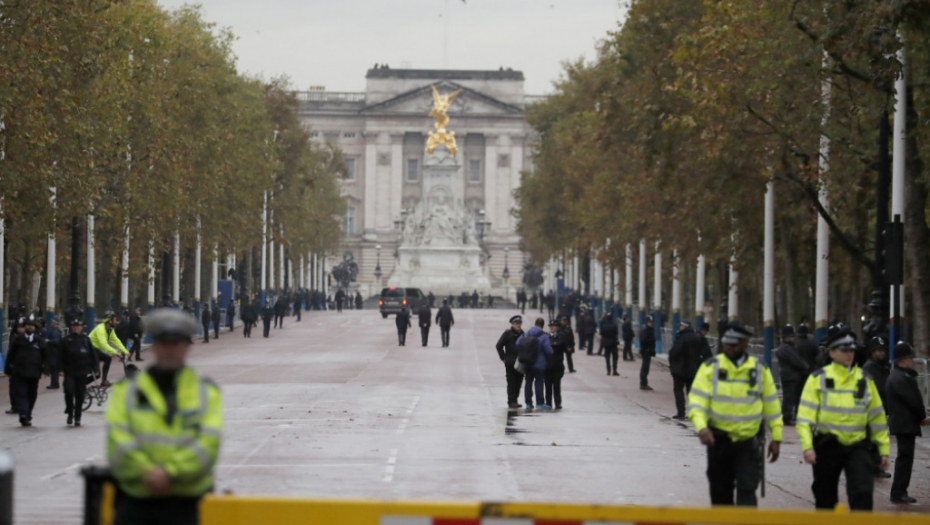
(331, 406)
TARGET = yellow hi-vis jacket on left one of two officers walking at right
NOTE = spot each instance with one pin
(735, 399)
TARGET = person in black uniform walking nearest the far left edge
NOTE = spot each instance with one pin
(26, 361)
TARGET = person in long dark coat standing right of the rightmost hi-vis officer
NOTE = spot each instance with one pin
(906, 414)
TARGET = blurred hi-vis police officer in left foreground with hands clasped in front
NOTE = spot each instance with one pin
(164, 433)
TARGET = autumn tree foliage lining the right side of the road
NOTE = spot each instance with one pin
(693, 106)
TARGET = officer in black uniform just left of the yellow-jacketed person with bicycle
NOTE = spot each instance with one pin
(78, 361)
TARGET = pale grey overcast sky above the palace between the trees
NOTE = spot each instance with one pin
(332, 43)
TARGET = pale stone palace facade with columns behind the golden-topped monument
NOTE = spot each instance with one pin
(383, 133)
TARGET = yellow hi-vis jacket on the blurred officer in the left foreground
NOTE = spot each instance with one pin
(141, 438)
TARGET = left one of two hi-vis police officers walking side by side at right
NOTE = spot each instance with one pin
(732, 394)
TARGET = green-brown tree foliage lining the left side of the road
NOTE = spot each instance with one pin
(137, 116)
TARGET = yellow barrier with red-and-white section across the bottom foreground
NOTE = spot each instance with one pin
(238, 510)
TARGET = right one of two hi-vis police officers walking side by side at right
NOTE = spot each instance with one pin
(840, 412)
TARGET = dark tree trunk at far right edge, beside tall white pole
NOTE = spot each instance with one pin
(917, 245)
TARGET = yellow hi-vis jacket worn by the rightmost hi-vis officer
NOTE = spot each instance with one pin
(843, 402)
